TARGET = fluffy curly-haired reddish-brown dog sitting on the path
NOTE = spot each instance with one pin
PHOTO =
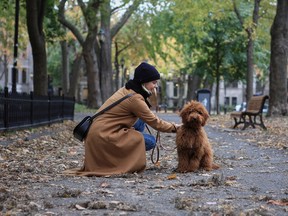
(193, 148)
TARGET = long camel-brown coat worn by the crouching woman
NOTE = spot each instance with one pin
(112, 146)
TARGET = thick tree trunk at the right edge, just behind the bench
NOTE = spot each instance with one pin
(279, 61)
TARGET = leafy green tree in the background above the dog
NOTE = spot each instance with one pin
(209, 51)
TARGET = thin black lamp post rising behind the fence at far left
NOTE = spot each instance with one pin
(14, 69)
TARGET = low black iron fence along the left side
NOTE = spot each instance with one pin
(20, 110)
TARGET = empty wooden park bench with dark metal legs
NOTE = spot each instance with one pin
(249, 116)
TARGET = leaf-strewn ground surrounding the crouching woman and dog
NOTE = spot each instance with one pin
(252, 180)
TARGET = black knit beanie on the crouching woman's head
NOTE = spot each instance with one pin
(145, 73)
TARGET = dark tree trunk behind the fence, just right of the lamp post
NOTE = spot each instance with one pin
(35, 15)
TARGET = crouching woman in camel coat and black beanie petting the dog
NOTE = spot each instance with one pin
(113, 145)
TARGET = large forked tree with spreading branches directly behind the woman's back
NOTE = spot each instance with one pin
(97, 54)
